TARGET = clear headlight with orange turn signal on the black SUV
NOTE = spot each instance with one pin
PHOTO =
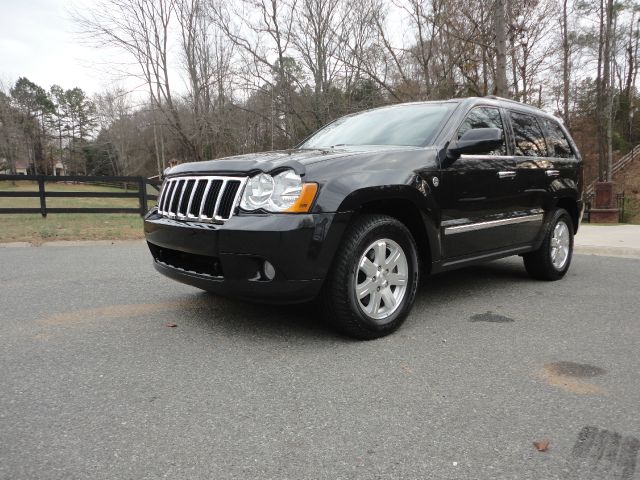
(284, 192)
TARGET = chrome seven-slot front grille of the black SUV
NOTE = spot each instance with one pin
(200, 199)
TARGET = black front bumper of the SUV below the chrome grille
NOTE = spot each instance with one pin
(228, 259)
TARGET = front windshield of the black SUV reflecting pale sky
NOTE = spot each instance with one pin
(406, 125)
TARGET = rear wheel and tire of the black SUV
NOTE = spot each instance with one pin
(551, 261)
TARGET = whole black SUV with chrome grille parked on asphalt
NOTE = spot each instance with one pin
(369, 203)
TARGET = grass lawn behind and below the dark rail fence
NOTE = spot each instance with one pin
(67, 226)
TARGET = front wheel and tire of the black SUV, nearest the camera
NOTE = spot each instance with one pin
(373, 281)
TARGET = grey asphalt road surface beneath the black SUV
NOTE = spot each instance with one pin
(93, 384)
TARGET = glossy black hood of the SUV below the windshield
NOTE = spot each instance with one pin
(270, 162)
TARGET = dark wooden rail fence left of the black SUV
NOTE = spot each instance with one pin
(139, 192)
